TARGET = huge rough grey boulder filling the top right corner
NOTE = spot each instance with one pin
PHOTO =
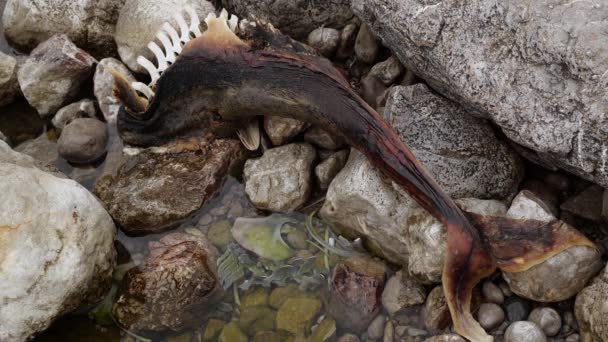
(537, 69)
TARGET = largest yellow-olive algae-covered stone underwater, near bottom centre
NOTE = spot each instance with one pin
(297, 314)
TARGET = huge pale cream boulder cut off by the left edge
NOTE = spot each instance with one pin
(56, 248)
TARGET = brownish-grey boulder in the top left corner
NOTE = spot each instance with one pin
(89, 23)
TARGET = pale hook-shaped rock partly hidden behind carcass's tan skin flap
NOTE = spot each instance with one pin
(103, 83)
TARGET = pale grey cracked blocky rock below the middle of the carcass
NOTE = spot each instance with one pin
(281, 179)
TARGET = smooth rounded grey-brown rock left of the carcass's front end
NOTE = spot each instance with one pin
(84, 140)
